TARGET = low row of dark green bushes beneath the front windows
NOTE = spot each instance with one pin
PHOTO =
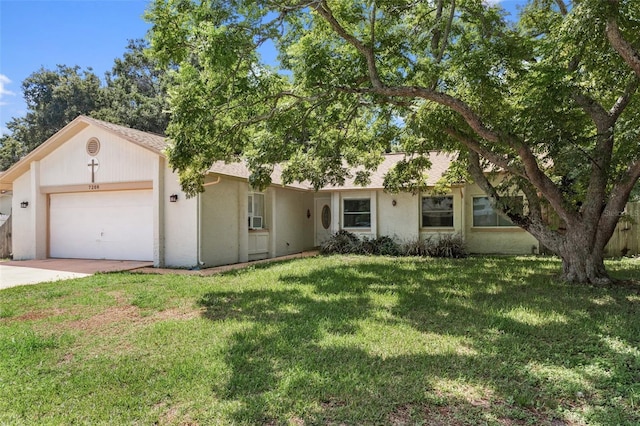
(444, 245)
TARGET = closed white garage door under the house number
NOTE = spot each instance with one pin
(102, 225)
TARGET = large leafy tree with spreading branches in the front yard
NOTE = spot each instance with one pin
(547, 103)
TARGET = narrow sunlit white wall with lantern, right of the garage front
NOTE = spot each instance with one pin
(180, 224)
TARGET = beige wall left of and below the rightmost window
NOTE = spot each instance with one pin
(490, 240)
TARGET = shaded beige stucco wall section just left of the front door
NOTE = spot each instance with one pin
(294, 231)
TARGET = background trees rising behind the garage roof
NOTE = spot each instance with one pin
(134, 95)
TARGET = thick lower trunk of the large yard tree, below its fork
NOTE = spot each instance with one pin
(581, 261)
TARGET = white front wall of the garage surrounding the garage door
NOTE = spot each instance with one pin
(65, 169)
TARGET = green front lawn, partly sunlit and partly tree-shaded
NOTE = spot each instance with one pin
(333, 340)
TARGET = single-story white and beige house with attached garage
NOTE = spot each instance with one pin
(101, 191)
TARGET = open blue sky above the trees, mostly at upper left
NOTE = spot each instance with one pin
(87, 33)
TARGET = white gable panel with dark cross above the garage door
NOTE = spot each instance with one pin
(119, 161)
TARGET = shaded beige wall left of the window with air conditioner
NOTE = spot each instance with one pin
(221, 222)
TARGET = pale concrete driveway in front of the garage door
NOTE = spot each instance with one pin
(22, 272)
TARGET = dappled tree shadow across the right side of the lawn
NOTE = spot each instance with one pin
(483, 340)
